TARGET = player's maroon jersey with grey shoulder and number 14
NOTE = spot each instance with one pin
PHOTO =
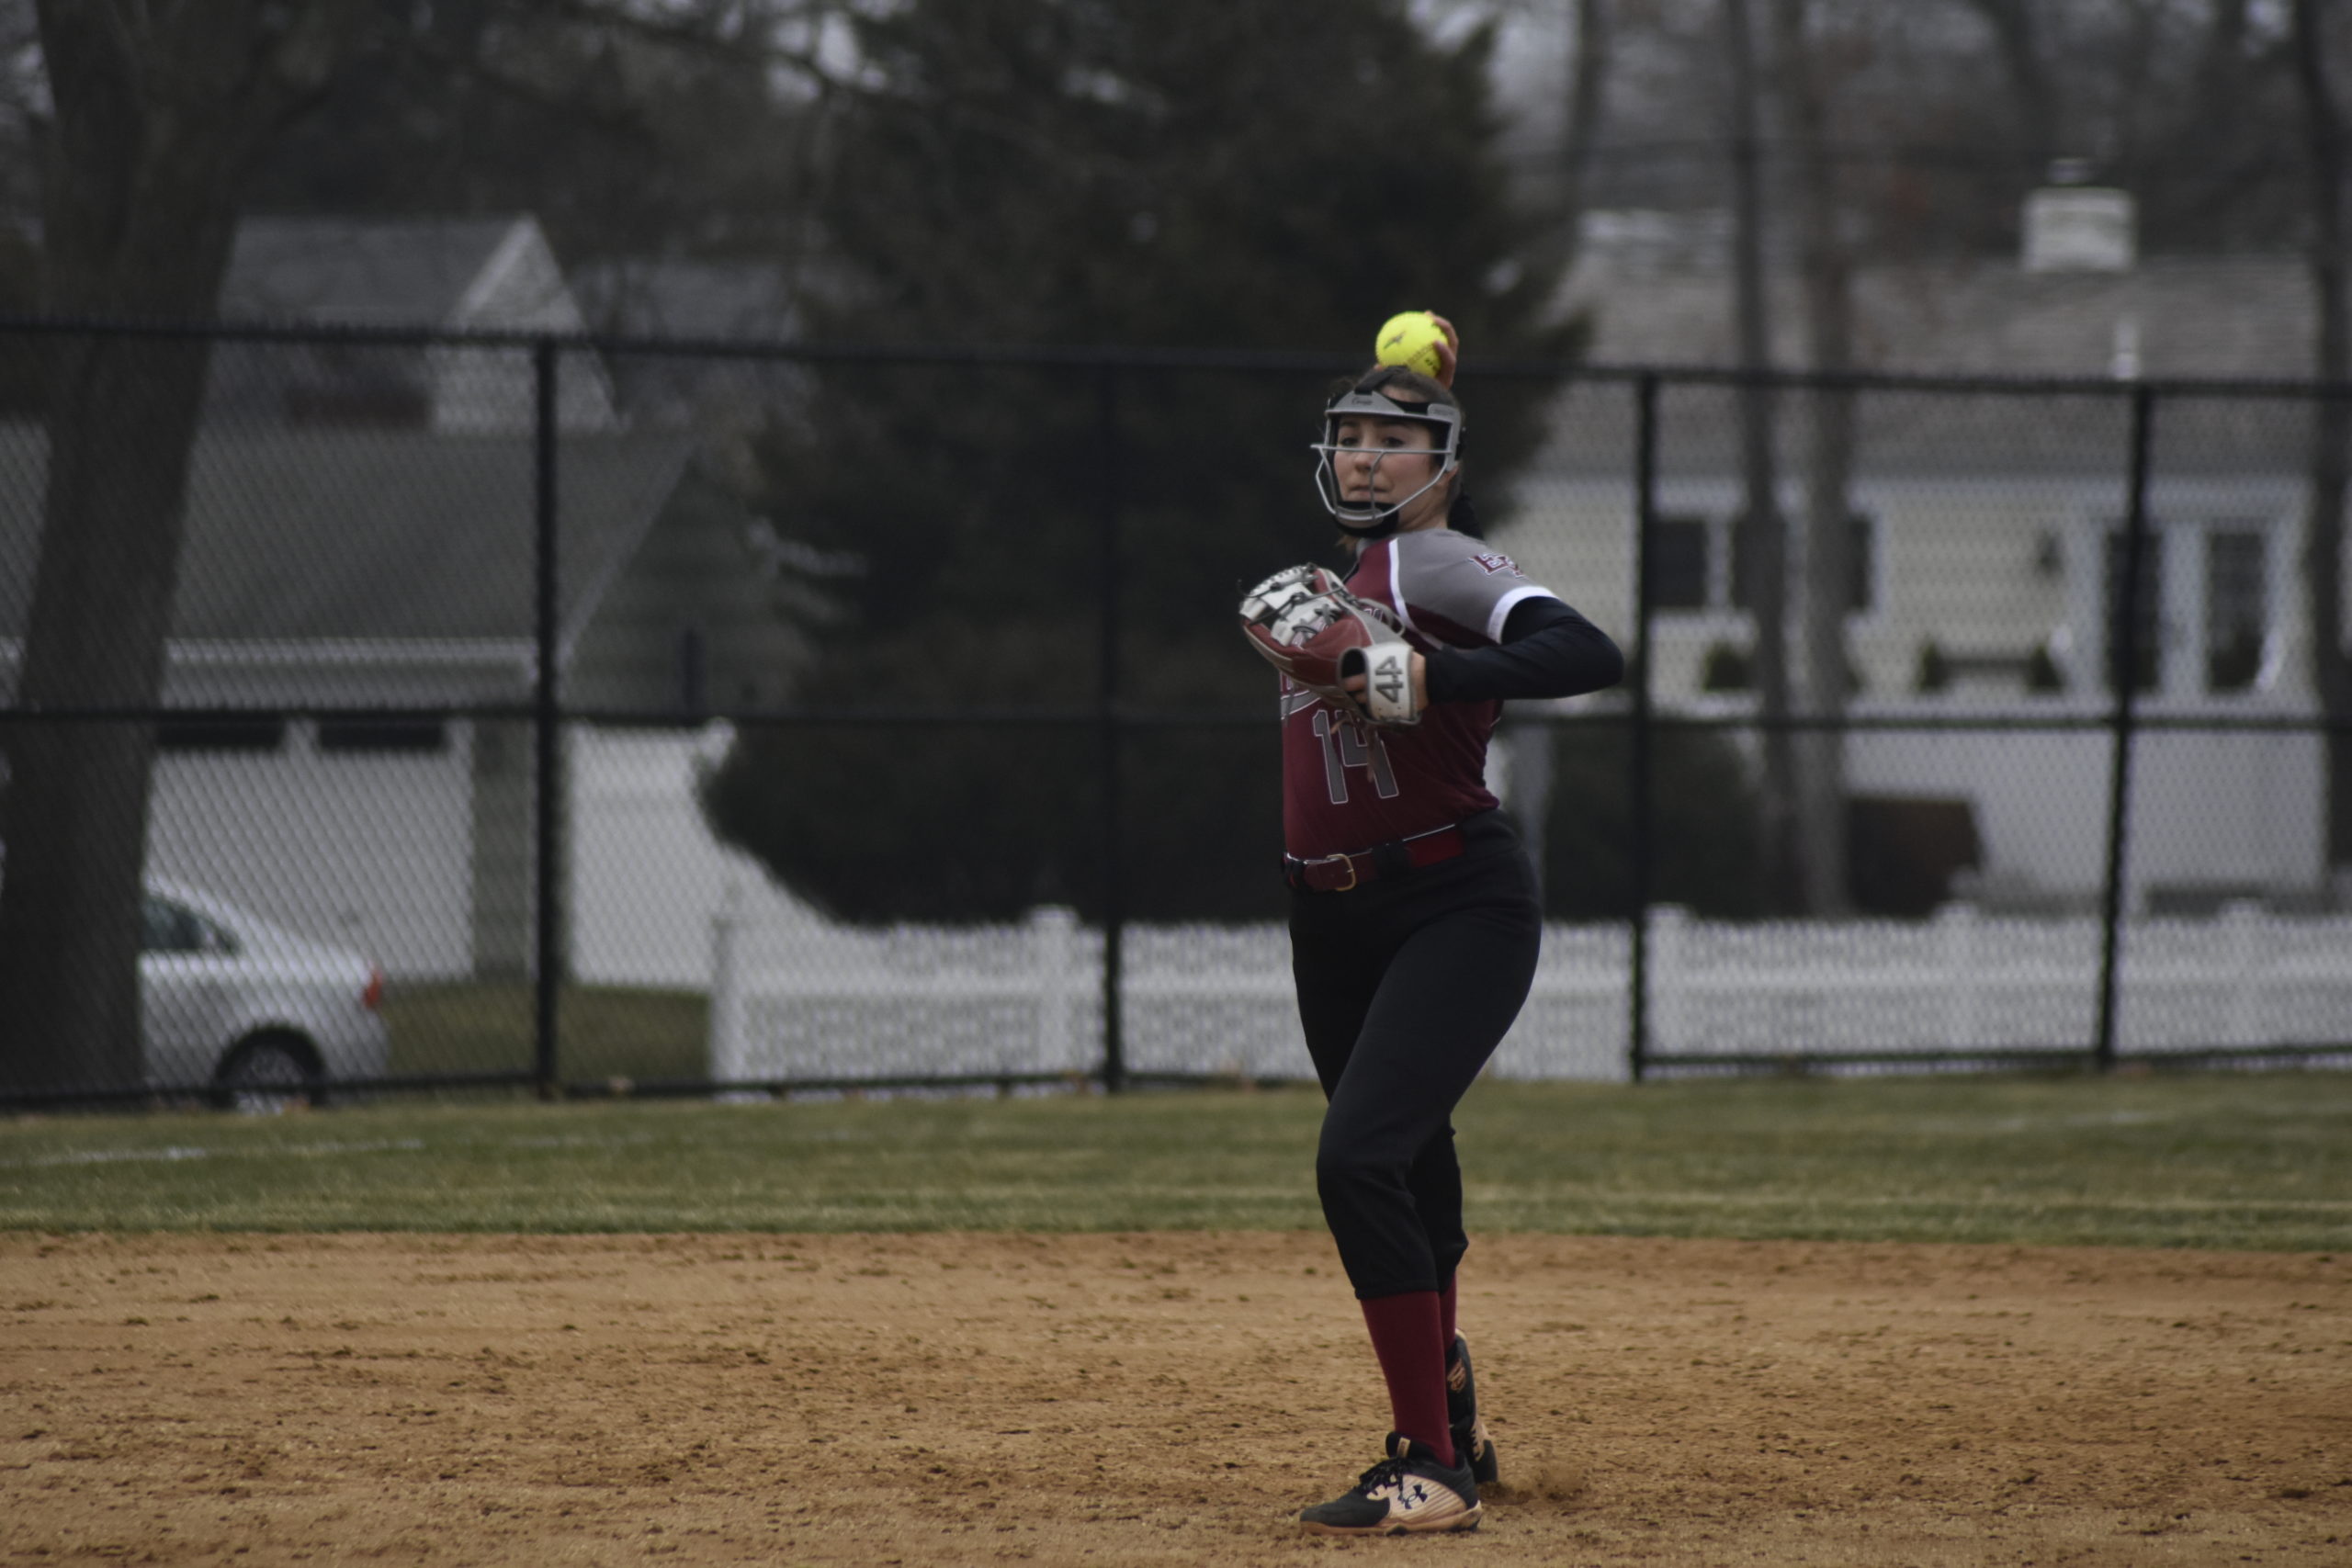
(1349, 786)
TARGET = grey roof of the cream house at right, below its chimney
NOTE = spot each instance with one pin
(2212, 319)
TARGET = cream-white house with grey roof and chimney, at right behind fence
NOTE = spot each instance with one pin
(1989, 542)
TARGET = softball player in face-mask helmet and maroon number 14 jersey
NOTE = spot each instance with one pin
(1415, 916)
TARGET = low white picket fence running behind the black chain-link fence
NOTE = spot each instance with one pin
(806, 1000)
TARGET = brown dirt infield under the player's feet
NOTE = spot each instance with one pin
(1154, 1400)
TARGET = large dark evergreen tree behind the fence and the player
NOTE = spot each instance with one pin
(1142, 173)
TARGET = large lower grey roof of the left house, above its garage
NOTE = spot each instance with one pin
(373, 535)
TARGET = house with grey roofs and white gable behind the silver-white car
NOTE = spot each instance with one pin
(361, 535)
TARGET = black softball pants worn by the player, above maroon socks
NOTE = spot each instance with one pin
(1405, 989)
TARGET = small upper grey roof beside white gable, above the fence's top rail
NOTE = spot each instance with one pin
(361, 269)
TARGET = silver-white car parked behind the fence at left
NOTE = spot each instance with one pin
(250, 1010)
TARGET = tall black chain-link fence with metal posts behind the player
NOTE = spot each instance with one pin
(429, 711)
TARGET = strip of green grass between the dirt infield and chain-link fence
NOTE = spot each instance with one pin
(2217, 1160)
